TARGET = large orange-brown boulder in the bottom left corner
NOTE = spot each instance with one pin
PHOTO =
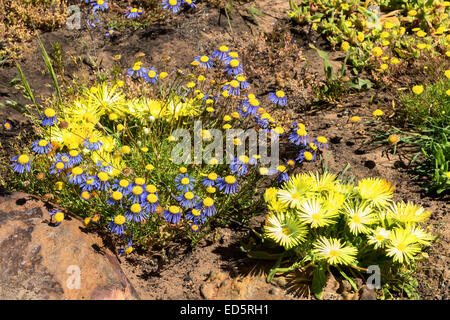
(41, 261)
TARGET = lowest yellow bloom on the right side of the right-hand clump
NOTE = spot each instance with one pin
(402, 245)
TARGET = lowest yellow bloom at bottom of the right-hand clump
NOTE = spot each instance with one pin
(331, 250)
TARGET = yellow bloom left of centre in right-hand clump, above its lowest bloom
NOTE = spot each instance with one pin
(315, 213)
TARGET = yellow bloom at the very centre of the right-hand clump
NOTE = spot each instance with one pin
(360, 217)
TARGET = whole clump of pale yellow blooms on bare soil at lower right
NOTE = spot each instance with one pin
(345, 224)
